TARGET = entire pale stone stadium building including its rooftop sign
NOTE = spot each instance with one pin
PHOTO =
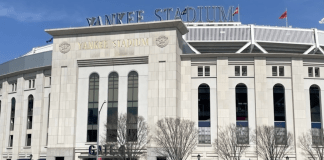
(215, 73)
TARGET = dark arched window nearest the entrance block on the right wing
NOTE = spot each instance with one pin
(204, 113)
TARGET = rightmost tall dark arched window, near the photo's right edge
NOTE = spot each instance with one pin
(315, 108)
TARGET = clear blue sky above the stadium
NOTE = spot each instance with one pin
(22, 22)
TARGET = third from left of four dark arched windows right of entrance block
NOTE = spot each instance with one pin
(279, 113)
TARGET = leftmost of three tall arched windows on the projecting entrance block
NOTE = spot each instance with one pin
(93, 107)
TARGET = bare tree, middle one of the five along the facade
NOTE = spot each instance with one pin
(231, 141)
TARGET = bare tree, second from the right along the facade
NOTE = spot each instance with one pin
(272, 143)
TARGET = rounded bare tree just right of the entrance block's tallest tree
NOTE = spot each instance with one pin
(176, 138)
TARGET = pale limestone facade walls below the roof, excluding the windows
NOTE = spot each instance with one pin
(168, 87)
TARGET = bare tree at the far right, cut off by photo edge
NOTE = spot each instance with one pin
(312, 144)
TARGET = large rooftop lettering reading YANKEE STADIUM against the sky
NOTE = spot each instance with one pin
(189, 14)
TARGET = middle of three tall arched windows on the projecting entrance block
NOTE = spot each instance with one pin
(112, 107)
